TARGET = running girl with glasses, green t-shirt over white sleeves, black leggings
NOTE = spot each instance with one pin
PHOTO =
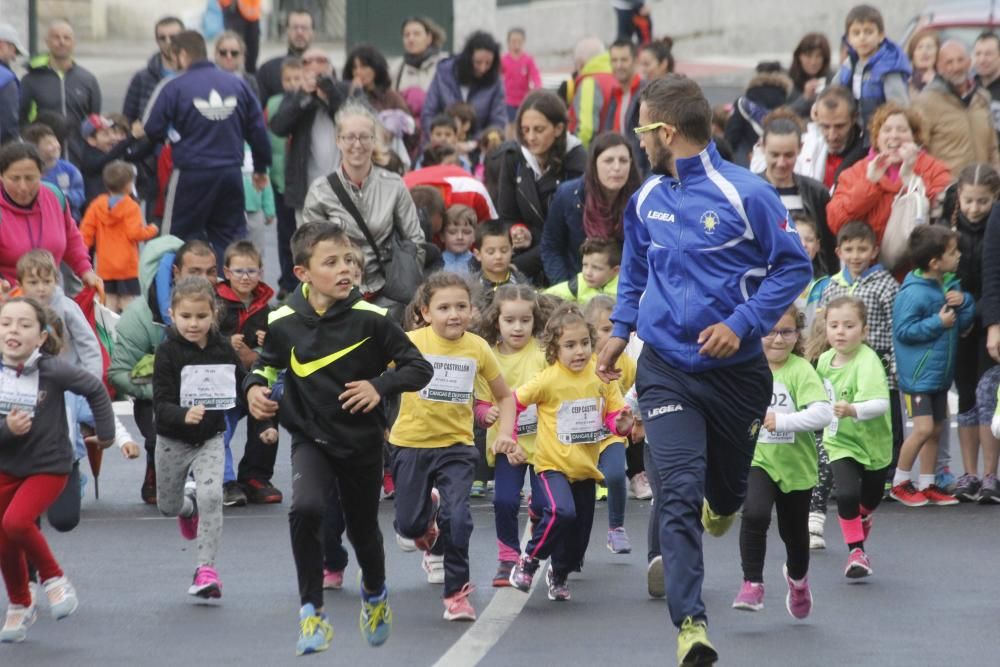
(783, 472)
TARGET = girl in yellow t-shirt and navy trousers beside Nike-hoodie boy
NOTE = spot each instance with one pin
(435, 459)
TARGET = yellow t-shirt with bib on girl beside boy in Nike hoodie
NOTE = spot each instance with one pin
(440, 414)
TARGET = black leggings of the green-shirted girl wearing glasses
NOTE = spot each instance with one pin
(793, 526)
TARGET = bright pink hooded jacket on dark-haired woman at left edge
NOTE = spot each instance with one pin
(47, 225)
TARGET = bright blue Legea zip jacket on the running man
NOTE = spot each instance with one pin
(713, 245)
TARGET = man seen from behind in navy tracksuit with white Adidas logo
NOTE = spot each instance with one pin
(207, 115)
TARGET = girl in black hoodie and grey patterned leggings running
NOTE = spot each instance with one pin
(195, 376)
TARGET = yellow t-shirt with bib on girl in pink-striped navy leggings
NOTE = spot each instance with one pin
(571, 411)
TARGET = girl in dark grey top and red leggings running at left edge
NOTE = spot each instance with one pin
(36, 456)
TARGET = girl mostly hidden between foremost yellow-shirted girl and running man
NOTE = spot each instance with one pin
(612, 460)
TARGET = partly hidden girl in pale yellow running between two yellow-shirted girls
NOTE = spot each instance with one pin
(512, 325)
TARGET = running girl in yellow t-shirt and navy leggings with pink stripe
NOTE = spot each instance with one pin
(576, 413)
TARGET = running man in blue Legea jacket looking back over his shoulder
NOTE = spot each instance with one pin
(710, 263)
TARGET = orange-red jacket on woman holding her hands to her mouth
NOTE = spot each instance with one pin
(857, 198)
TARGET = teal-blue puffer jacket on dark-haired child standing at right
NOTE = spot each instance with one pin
(925, 350)
